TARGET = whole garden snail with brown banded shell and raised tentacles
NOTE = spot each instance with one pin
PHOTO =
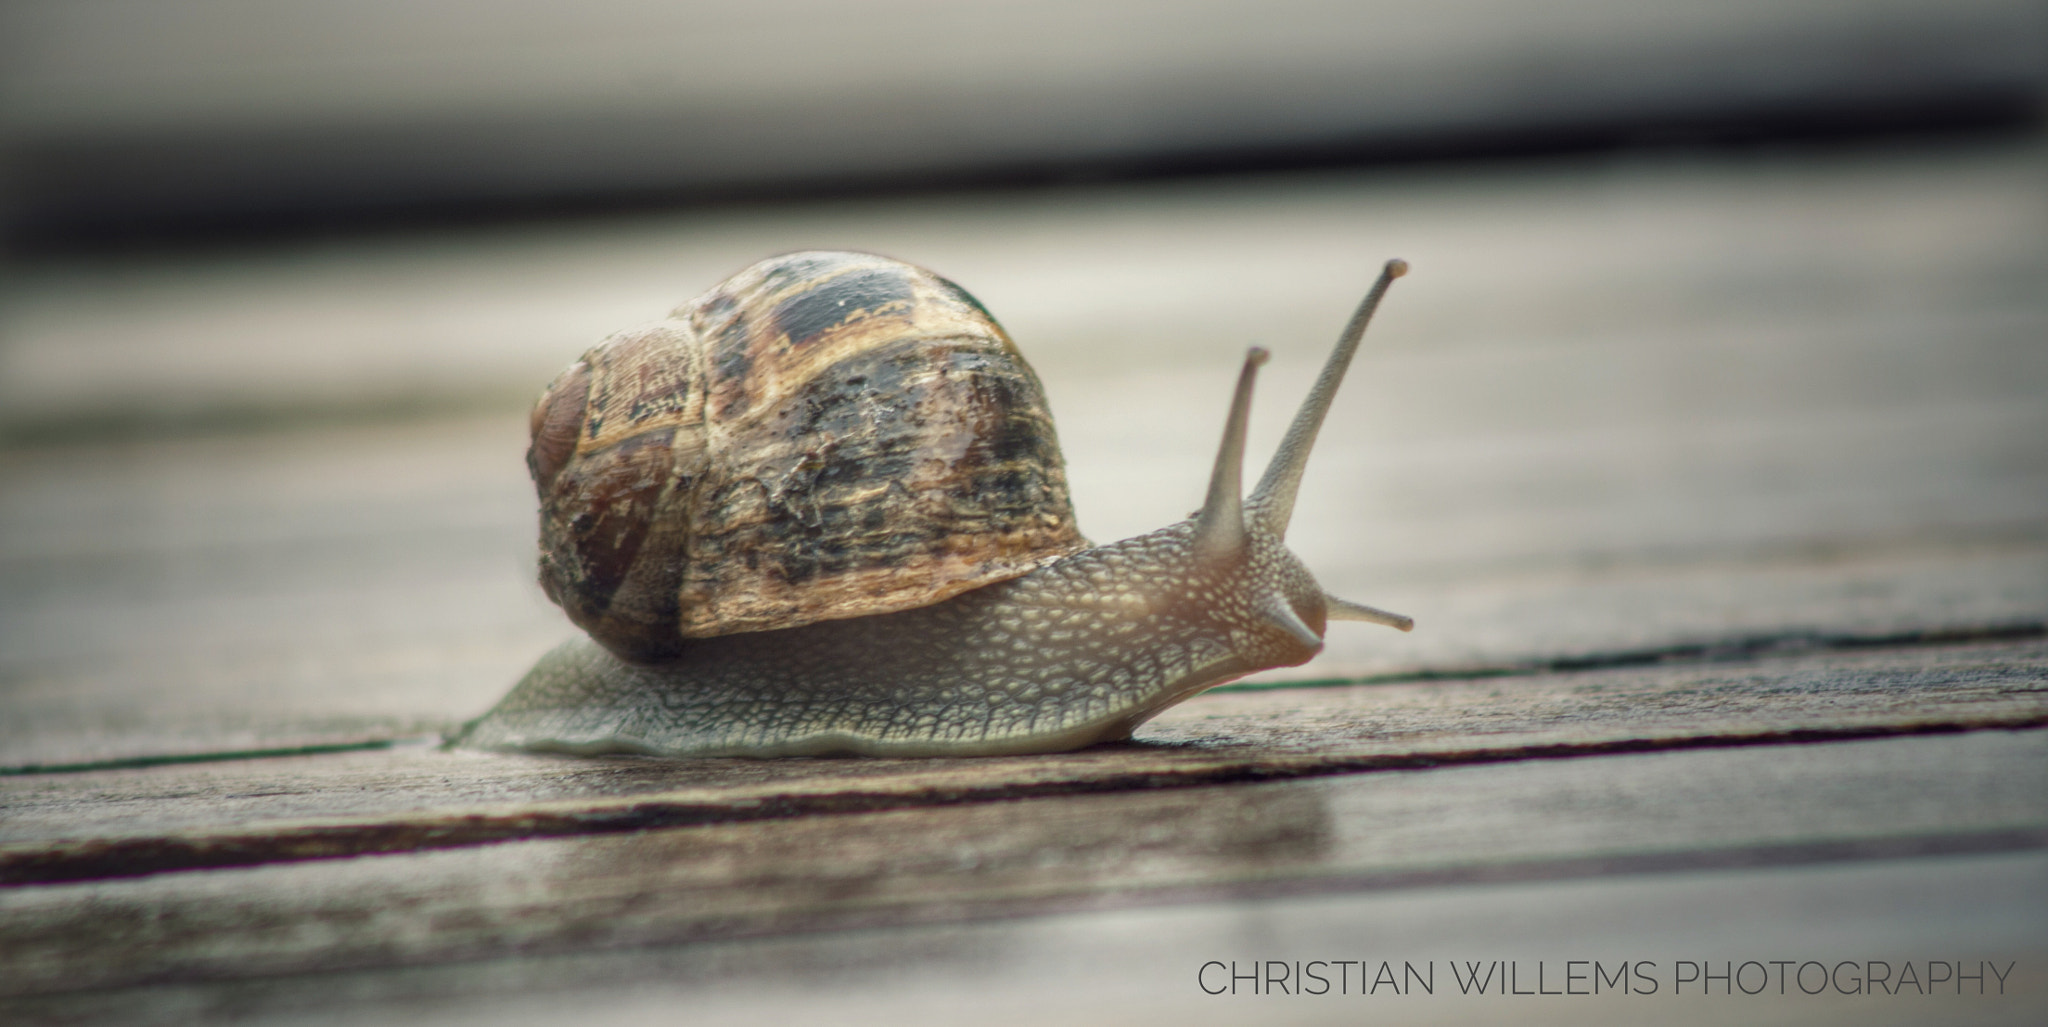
(822, 511)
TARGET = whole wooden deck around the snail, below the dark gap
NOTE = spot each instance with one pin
(1717, 489)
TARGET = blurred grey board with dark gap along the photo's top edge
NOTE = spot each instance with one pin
(130, 120)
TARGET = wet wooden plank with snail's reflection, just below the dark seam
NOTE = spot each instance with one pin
(1457, 825)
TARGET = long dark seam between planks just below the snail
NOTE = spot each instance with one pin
(138, 858)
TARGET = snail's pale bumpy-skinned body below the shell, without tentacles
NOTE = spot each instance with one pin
(1076, 653)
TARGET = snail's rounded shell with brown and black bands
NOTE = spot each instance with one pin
(822, 436)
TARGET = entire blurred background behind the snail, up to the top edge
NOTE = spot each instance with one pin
(1727, 321)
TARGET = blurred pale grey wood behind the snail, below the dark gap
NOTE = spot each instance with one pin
(1619, 405)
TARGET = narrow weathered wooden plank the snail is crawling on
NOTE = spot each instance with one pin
(122, 823)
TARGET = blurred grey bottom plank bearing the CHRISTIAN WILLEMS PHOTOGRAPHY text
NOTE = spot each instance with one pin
(1140, 964)
